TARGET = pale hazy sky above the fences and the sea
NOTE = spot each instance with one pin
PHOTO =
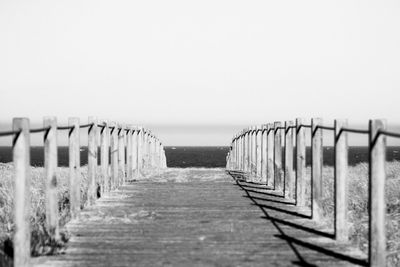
(211, 65)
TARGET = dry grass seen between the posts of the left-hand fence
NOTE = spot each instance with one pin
(41, 243)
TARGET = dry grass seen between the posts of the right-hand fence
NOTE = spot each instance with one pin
(358, 206)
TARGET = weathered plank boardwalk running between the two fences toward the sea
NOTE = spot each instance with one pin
(195, 217)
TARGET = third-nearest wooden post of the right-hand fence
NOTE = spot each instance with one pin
(316, 168)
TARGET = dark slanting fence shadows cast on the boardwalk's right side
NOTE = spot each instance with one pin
(292, 241)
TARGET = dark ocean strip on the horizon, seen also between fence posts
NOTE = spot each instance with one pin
(207, 157)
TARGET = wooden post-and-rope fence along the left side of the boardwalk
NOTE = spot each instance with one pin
(131, 150)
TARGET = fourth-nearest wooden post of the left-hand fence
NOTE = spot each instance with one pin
(92, 161)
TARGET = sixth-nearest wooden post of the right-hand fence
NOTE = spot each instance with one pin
(278, 157)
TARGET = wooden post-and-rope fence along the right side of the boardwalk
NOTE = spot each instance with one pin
(258, 152)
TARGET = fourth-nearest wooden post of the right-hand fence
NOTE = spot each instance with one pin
(300, 163)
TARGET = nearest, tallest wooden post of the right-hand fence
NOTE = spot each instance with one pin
(377, 205)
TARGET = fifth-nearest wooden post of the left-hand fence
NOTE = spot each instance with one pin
(104, 153)
